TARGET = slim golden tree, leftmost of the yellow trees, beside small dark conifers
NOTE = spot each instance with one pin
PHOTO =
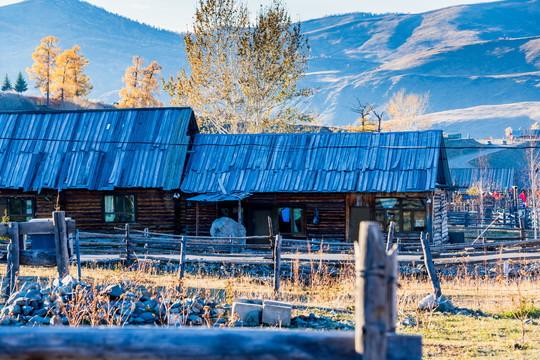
(44, 62)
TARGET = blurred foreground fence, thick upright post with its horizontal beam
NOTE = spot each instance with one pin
(374, 337)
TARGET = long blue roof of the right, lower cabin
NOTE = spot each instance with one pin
(339, 162)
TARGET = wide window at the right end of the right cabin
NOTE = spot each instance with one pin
(408, 214)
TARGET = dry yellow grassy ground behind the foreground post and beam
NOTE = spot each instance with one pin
(508, 329)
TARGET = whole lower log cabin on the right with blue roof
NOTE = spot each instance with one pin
(319, 185)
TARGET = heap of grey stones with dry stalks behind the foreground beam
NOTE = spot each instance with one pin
(68, 302)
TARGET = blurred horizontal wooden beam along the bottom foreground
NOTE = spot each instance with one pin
(134, 343)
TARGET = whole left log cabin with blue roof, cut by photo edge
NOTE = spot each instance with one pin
(104, 168)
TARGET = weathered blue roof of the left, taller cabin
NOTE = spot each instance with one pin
(94, 149)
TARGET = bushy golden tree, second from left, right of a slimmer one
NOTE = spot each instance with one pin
(68, 77)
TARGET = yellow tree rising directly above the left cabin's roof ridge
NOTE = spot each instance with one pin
(142, 84)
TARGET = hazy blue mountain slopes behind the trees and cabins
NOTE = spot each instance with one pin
(474, 60)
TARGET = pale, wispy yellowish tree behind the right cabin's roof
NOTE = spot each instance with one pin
(406, 112)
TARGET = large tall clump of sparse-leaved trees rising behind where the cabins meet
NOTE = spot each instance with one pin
(242, 78)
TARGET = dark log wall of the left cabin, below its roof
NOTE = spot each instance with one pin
(156, 209)
